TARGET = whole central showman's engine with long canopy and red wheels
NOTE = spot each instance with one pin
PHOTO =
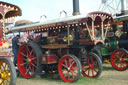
(62, 46)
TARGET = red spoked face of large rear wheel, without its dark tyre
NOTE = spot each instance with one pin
(27, 61)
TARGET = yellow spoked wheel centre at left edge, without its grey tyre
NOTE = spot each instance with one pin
(5, 74)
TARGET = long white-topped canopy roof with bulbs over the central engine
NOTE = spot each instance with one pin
(80, 20)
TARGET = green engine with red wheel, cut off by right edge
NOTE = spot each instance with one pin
(116, 44)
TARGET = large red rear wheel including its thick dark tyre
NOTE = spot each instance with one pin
(28, 60)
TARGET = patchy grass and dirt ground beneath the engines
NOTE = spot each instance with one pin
(109, 76)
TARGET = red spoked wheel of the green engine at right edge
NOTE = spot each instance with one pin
(119, 59)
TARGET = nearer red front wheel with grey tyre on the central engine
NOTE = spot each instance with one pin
(69, 68)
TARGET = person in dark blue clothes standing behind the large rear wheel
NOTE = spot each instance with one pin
(15, 47)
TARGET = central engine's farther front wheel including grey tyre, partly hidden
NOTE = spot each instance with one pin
(93, 66)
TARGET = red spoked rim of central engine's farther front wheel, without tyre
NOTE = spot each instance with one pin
(91, 69)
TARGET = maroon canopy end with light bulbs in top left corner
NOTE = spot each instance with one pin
(9, 10)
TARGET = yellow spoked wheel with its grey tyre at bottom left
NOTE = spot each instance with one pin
(7, 72)
